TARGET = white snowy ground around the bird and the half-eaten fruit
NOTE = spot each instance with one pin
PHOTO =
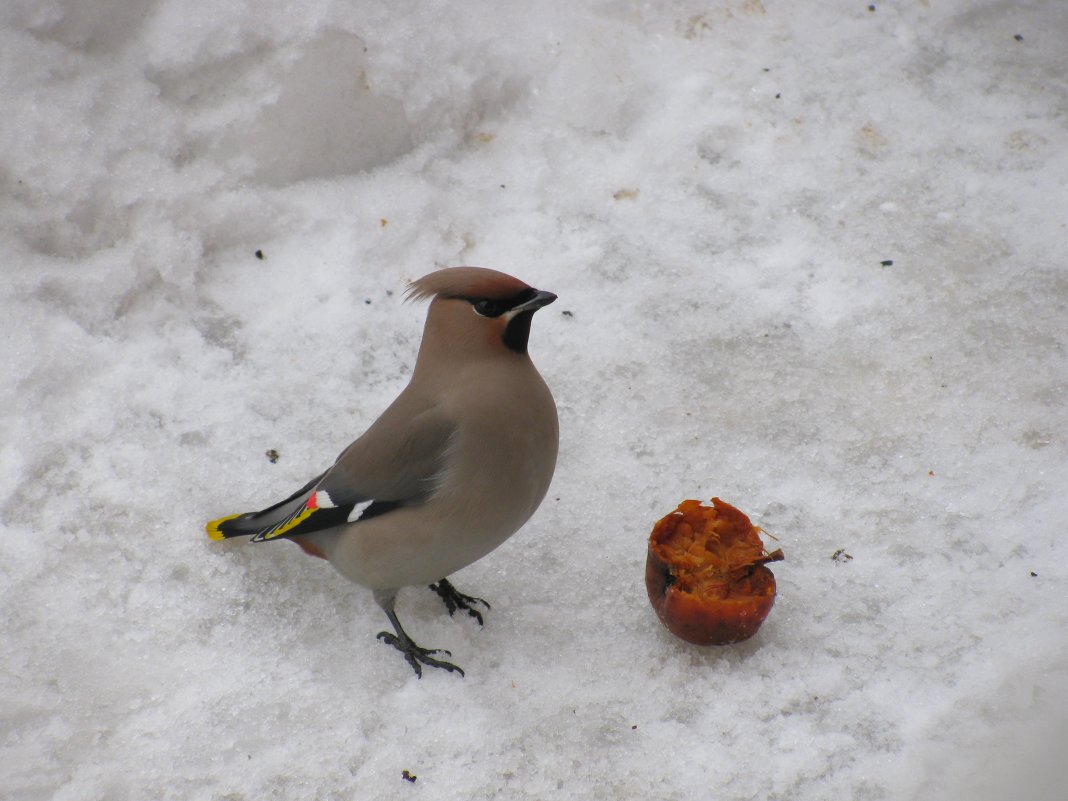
(811, 259)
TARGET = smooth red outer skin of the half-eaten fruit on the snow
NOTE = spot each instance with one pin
(709, 622)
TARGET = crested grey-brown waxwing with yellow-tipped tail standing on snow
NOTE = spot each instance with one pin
(457, 465)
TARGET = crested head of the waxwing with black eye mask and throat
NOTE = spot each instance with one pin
(476, 309)
